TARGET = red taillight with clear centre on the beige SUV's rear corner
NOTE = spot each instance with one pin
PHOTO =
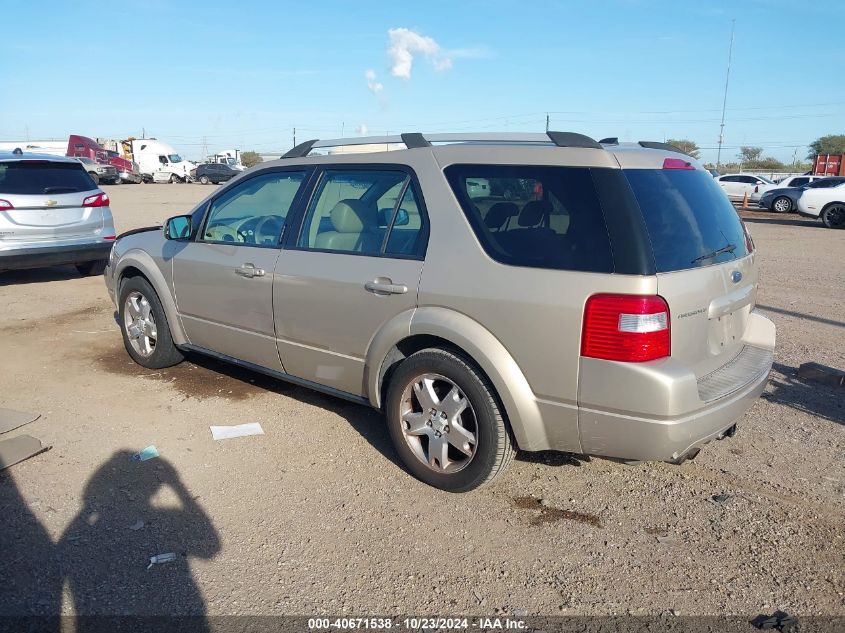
(627, 328)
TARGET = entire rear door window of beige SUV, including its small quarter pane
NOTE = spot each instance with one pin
(367, 212)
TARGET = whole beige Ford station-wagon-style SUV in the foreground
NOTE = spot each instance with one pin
(605, 306)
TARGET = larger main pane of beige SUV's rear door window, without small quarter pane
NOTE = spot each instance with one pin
(345, 214)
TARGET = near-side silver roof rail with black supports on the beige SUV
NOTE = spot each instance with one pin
(414, 140)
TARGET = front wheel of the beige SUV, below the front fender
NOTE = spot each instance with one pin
(143, 324)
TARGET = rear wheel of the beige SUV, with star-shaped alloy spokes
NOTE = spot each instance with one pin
(445, 421)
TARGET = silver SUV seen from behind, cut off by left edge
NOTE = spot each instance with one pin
(51, 212)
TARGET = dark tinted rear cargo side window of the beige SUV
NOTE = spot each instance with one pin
(535, 216)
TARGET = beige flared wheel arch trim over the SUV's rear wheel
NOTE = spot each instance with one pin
(428, 327)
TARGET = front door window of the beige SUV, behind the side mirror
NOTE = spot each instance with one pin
(253, 212)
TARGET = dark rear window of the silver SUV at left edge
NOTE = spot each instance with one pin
(36, 177)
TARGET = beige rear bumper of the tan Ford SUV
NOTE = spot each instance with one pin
(697, 410)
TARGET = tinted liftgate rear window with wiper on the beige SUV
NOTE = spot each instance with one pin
(689, 219)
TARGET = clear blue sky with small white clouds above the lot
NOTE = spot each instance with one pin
(244, 74)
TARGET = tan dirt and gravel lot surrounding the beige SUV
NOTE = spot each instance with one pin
(318, 517)
